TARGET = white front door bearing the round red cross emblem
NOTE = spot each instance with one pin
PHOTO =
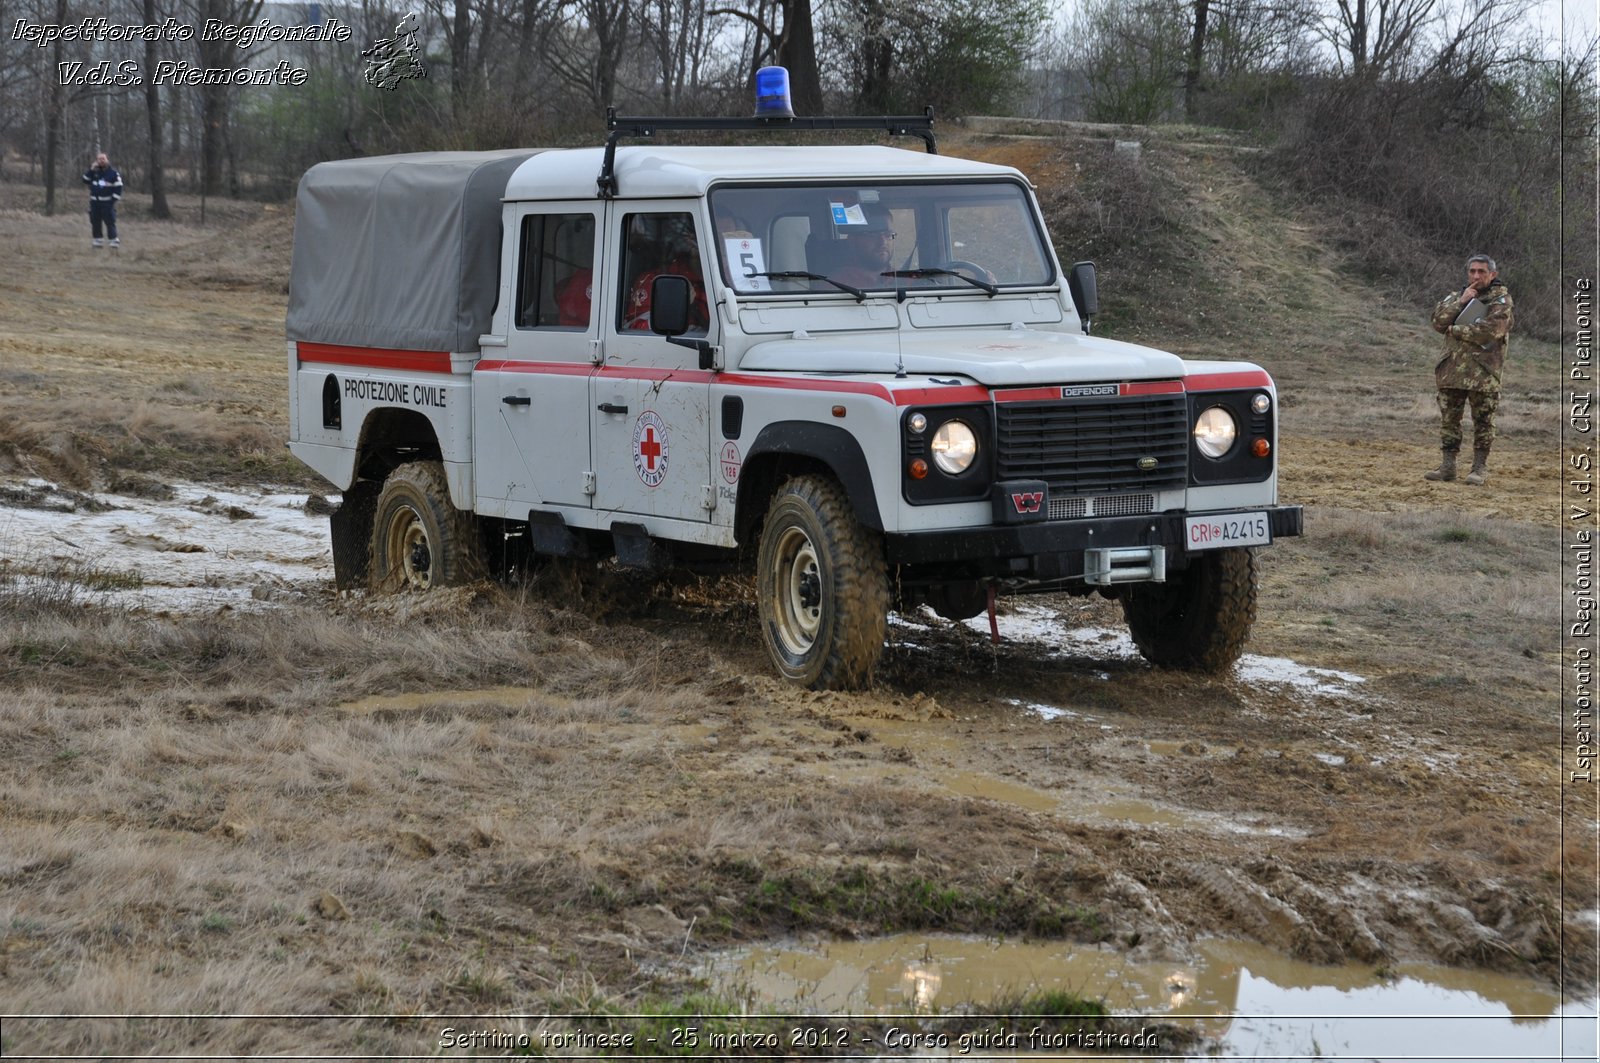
(650, 399)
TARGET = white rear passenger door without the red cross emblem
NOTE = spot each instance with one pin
(540, 391)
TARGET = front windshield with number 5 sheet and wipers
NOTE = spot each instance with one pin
(857, 238)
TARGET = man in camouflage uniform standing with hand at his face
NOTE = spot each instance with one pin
(1471, 369)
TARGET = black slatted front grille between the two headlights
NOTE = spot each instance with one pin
(1097, 447)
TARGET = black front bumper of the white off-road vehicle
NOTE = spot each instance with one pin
(1054, 550)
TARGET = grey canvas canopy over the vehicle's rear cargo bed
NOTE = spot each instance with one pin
(399, 251)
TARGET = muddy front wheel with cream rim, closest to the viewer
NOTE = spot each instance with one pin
(822, 588)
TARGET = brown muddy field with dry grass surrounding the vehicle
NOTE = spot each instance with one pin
(606, 779)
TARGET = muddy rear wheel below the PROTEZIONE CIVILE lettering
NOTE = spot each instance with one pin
(420, 540)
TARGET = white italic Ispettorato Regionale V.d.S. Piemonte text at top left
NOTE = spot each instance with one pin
(129, 73)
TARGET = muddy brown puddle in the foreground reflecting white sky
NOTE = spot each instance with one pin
(1250, 1001)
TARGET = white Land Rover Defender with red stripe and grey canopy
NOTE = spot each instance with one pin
(863, 367)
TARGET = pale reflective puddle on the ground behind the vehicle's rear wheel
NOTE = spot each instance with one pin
(202, 550)
